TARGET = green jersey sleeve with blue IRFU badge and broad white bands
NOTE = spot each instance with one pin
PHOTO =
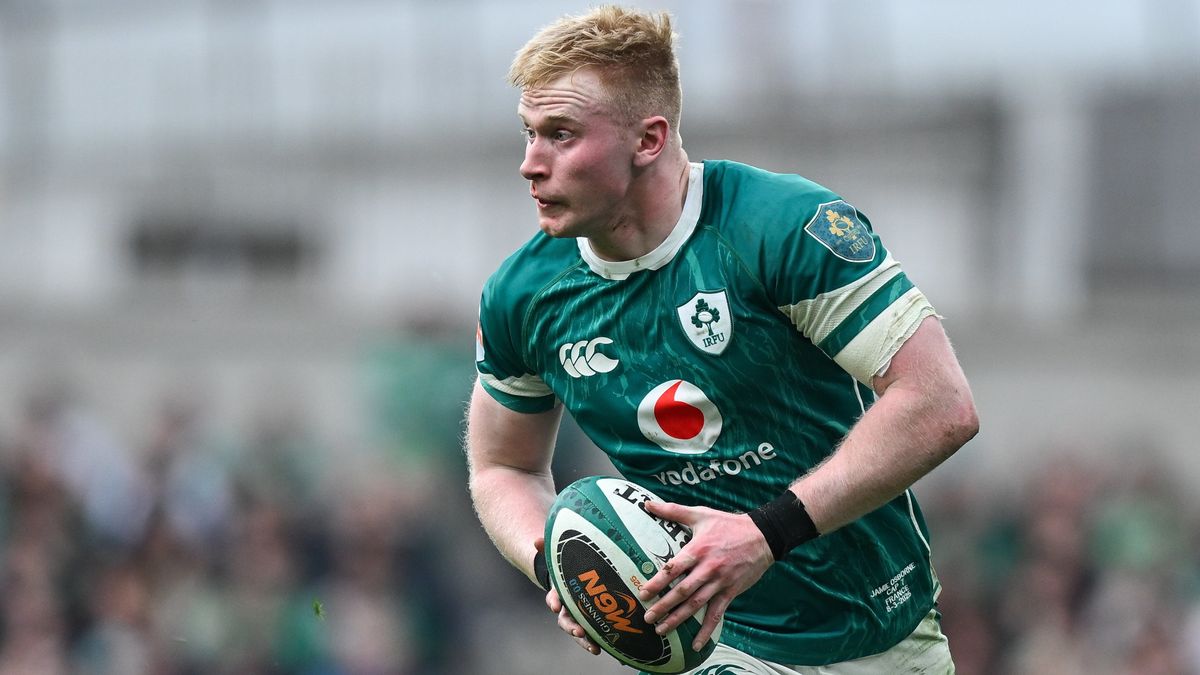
(843, 290)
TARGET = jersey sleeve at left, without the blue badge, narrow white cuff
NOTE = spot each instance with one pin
(500, 354)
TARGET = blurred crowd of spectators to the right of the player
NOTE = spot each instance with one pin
(1091, 566)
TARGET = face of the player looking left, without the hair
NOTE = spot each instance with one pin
(579, 157)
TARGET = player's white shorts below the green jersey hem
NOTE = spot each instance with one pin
(925, 652)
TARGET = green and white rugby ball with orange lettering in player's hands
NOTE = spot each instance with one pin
(602, 546)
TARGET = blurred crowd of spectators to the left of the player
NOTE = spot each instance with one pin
(199, 549)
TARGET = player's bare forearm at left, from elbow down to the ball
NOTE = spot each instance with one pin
(513, 505)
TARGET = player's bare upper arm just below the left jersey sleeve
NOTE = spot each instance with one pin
(502, 438)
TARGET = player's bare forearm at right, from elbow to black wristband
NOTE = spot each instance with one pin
(909, 432)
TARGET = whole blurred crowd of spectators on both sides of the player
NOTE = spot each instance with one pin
(191, 547)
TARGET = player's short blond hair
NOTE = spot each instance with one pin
(633, 52)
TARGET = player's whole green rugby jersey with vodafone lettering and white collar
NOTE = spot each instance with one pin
(718, 369)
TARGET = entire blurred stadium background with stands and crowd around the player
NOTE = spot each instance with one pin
(242, 244)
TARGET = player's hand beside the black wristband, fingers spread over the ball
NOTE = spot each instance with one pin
(725, 557)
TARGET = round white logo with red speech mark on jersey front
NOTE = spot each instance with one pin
(680, 419)
